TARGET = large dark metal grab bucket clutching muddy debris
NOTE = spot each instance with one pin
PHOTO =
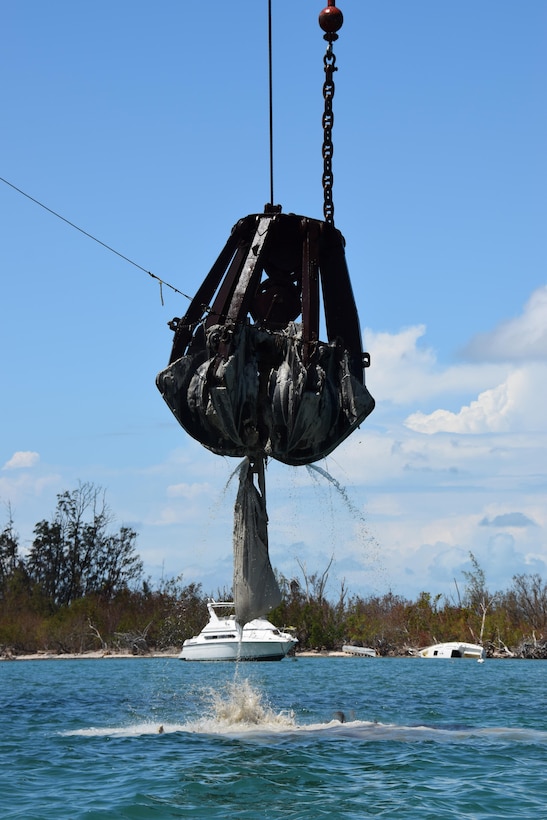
(243, 378)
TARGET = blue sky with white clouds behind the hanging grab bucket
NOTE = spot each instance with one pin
(147, 126)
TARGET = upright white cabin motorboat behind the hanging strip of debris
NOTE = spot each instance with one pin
(223, 640)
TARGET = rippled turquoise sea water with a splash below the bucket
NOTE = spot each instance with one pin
(422, 739)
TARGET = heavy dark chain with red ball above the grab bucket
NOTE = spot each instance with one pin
(330, 20)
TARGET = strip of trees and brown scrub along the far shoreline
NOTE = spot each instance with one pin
(80, 587)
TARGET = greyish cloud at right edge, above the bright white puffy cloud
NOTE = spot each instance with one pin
(523, 338)
